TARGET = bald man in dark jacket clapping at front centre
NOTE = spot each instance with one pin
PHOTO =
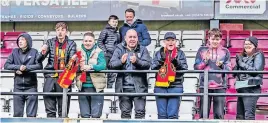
(130, 55)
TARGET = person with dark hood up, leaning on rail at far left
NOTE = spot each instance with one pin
(23, 60)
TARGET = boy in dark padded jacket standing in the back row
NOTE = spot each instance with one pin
(108, 39)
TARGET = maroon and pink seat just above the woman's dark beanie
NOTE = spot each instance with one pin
(237, 38)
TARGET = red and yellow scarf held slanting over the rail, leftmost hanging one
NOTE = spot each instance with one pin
(67, 76)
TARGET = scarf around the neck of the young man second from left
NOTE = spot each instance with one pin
(61, 56)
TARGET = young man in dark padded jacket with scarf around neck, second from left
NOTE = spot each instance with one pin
(59, 51)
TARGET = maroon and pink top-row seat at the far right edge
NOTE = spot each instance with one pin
(262, 37)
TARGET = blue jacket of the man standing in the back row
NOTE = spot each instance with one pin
(141, 29)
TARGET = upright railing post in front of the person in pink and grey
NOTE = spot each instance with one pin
(205, 96)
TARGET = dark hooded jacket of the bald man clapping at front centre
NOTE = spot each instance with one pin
(143, 62)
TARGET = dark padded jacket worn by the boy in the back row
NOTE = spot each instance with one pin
(108, 39)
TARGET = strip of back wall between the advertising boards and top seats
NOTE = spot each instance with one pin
(152, 25)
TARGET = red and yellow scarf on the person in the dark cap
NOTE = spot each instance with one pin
(167, 72)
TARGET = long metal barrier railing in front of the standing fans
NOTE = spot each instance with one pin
(205, 95)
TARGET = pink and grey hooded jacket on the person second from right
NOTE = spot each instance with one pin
(221, 54)
